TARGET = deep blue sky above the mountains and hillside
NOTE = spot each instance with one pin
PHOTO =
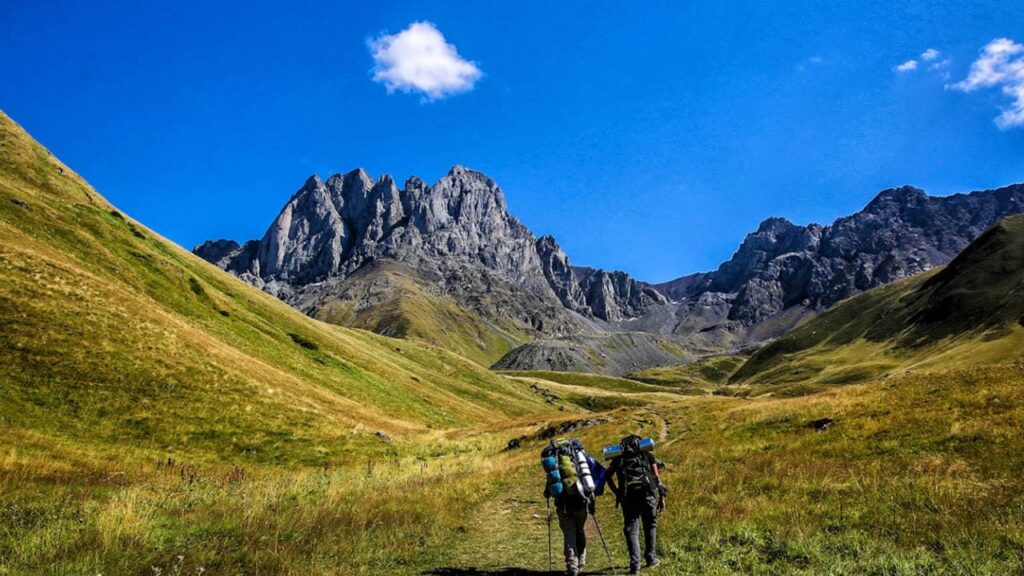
(647, 137)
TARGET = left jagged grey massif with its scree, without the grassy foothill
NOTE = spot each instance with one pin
(457, 235)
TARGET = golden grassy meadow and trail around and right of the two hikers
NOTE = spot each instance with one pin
(915, 475)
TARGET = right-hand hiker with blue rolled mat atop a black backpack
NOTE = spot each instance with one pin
(634, 478)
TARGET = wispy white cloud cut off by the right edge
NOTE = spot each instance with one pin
(1001, 64)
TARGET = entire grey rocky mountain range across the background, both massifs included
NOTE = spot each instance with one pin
(449, 264)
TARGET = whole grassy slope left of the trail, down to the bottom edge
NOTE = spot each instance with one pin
(160, 416)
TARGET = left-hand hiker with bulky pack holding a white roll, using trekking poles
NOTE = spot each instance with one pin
(572, 485)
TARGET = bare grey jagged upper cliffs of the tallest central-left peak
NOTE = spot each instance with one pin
(334, 228)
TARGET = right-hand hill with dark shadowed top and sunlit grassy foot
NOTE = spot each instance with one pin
(969, 313)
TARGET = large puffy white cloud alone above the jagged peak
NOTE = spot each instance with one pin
(418, 60)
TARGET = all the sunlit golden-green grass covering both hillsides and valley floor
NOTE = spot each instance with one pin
(158, 417)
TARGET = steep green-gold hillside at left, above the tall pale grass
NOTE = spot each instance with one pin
(113, 335)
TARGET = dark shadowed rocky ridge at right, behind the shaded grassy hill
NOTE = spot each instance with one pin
(901, 233)
